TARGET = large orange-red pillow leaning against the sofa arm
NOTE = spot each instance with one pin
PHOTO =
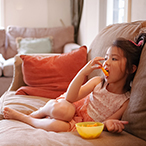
(50, 76)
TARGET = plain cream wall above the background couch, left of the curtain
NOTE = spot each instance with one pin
(36, 13)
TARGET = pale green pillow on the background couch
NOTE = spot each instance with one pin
(34, 45)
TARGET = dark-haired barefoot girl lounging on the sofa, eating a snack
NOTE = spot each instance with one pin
(100, 99)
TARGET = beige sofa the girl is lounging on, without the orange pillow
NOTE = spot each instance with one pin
(16, 133)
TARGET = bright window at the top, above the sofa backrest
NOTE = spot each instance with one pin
(117, 11)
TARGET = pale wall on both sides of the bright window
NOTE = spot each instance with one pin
(94, 15)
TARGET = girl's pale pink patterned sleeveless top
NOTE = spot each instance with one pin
(103, 104)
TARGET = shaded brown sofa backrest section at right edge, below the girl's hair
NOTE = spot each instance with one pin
(136, 111)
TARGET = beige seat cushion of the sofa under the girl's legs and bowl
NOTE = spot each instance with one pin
(15, 133)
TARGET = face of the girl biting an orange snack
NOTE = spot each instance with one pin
(115, 64)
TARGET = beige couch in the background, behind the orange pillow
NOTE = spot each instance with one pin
(59, 36)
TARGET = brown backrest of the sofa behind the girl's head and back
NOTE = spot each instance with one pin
(136, 110)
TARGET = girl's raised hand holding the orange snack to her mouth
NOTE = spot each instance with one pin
(92, 65)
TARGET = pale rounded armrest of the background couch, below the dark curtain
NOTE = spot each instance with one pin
(70, 47)
